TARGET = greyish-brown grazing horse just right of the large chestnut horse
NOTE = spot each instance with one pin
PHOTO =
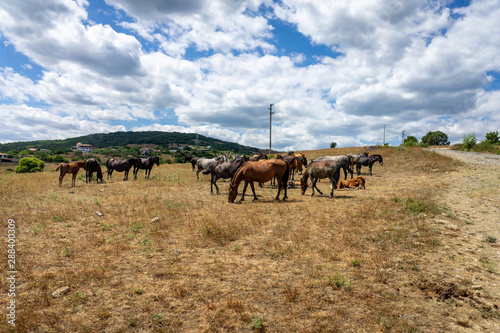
(319, 170)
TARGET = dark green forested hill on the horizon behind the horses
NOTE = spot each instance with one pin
(103, 140)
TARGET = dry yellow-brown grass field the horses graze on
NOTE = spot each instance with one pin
(163, 255)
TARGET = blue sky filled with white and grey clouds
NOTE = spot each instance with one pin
(335, 70)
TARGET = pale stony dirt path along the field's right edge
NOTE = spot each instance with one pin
(471, 226)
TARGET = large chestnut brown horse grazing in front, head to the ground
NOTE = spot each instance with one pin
(260, 171)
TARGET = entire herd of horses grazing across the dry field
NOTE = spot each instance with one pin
(257, 168)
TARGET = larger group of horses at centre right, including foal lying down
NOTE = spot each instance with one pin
(281, 169)
